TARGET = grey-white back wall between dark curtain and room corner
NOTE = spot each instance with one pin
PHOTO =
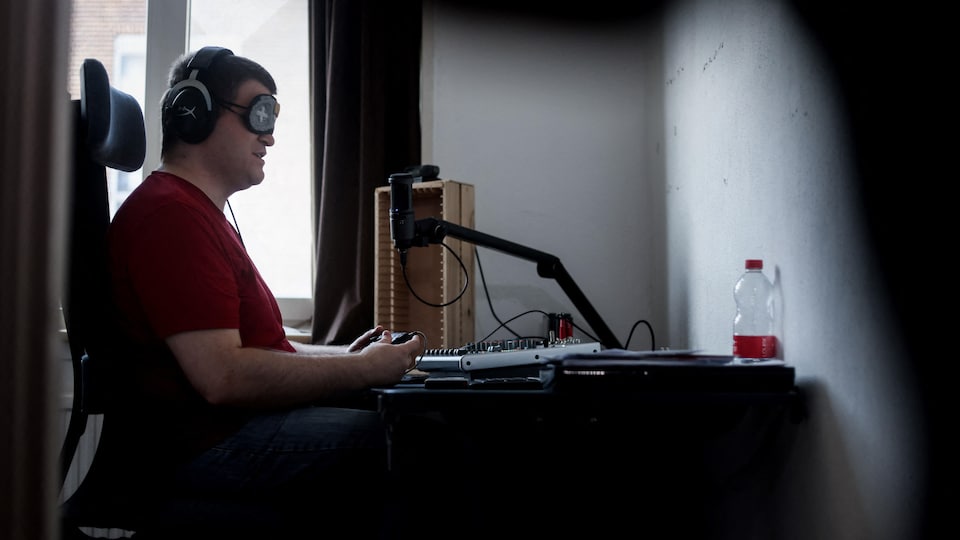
(544, 121)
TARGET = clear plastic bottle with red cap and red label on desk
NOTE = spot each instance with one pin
(754, 333)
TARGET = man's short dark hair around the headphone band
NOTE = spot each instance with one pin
(222, 79)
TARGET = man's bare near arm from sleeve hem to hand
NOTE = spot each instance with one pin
(226, 373)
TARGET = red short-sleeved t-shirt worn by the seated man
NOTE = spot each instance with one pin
(178, 265)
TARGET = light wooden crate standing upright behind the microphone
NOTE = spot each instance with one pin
(434, 273)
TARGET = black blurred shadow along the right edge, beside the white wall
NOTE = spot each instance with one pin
(889, 60)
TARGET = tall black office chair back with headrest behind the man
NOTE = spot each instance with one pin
(108, 132)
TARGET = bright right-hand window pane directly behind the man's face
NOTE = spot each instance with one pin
(274, 217)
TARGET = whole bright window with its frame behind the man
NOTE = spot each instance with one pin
(274, 217)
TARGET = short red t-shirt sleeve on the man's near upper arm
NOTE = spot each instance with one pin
(181, 271)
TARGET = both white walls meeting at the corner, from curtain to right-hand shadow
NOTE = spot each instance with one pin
(653, 156)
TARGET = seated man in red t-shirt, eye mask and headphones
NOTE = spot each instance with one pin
(223, 404)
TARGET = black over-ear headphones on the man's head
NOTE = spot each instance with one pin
(188, 108)
